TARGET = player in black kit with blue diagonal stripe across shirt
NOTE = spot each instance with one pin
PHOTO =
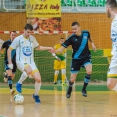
(81, 56)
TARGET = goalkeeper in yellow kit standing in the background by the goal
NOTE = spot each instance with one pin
(59, 63)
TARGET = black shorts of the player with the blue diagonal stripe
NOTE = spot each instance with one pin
(78, 63)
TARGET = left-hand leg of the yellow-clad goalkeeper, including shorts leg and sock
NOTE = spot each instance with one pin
(56, 72)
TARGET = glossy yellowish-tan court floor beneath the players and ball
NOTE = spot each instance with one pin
(55, 104)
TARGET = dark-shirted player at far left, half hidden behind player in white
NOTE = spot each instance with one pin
(9, 74)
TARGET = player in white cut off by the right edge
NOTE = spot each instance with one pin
(111, 11)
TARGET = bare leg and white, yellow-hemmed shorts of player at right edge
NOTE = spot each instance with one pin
(112, 75)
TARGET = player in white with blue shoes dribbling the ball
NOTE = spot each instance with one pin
(25, 45)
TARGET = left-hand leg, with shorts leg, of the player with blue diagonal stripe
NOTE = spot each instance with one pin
(75, 67)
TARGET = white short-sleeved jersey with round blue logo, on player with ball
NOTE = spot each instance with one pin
(24, 48)
